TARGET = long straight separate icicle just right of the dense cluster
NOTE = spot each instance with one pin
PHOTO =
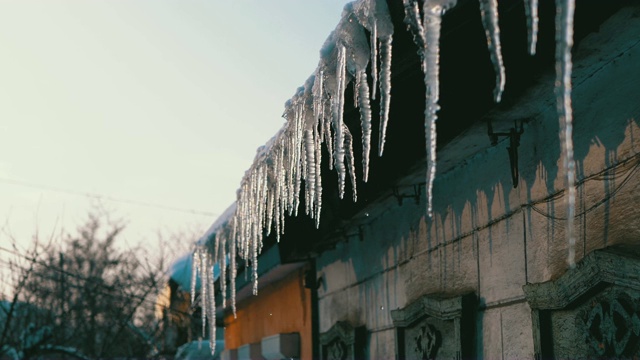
(431, 66)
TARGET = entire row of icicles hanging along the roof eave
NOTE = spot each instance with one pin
(270, 188)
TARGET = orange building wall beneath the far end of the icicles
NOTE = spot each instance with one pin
(283, 307)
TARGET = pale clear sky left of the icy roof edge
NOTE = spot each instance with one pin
(150, 101)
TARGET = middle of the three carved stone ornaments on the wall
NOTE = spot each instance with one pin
(433, 327)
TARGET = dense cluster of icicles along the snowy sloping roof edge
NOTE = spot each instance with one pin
(271, 188)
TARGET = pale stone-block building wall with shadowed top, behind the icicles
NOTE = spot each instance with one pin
(489, 238)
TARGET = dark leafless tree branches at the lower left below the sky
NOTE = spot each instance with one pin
(80, 297)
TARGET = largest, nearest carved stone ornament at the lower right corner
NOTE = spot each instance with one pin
(593, 310)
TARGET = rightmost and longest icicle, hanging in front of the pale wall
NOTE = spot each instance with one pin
(564, 43)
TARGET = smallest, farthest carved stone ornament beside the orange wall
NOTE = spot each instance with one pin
(342, 342)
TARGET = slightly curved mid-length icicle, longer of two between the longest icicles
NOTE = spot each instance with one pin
(489, 13)
